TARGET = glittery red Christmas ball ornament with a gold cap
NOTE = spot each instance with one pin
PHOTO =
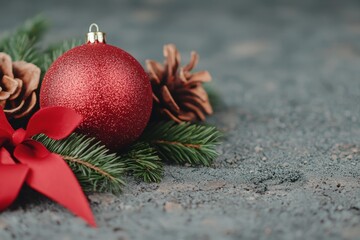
(106, 85)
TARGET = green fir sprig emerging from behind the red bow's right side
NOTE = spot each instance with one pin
(95, 168)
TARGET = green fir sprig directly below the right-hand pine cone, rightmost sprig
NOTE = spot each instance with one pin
(183, 143)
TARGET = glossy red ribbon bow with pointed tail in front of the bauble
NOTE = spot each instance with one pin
(31, 162)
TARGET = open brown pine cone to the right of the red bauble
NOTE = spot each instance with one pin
(177, 93)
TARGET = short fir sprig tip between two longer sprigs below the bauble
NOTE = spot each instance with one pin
(142, 161)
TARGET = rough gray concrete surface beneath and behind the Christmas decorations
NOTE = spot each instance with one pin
(288, 73)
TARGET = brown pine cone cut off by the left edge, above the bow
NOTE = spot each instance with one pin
(18, 82)
